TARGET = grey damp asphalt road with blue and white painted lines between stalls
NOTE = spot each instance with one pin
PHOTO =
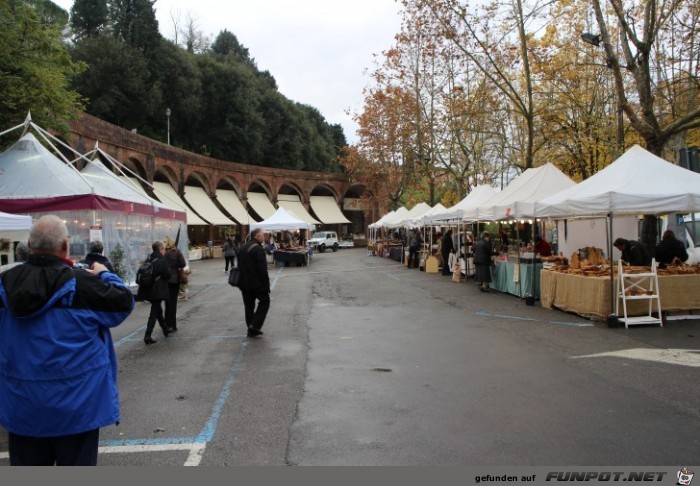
(365, 362)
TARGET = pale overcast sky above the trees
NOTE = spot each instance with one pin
(317, 50)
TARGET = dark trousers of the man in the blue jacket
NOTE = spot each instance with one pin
(66, 450)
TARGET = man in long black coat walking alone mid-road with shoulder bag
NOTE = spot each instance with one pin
(254, 282)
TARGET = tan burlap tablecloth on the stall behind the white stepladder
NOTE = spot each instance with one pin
(590, 296)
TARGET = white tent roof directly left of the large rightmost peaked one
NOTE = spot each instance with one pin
(518, 199)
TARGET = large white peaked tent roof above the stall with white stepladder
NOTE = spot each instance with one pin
(636, 183)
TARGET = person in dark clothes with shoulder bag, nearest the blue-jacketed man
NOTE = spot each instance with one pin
(152, 279)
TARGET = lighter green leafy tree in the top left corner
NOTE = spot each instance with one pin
(35, 69)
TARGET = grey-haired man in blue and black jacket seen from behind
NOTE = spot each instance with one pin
(58, 367)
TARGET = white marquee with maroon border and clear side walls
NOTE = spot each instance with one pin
(37, 182)
